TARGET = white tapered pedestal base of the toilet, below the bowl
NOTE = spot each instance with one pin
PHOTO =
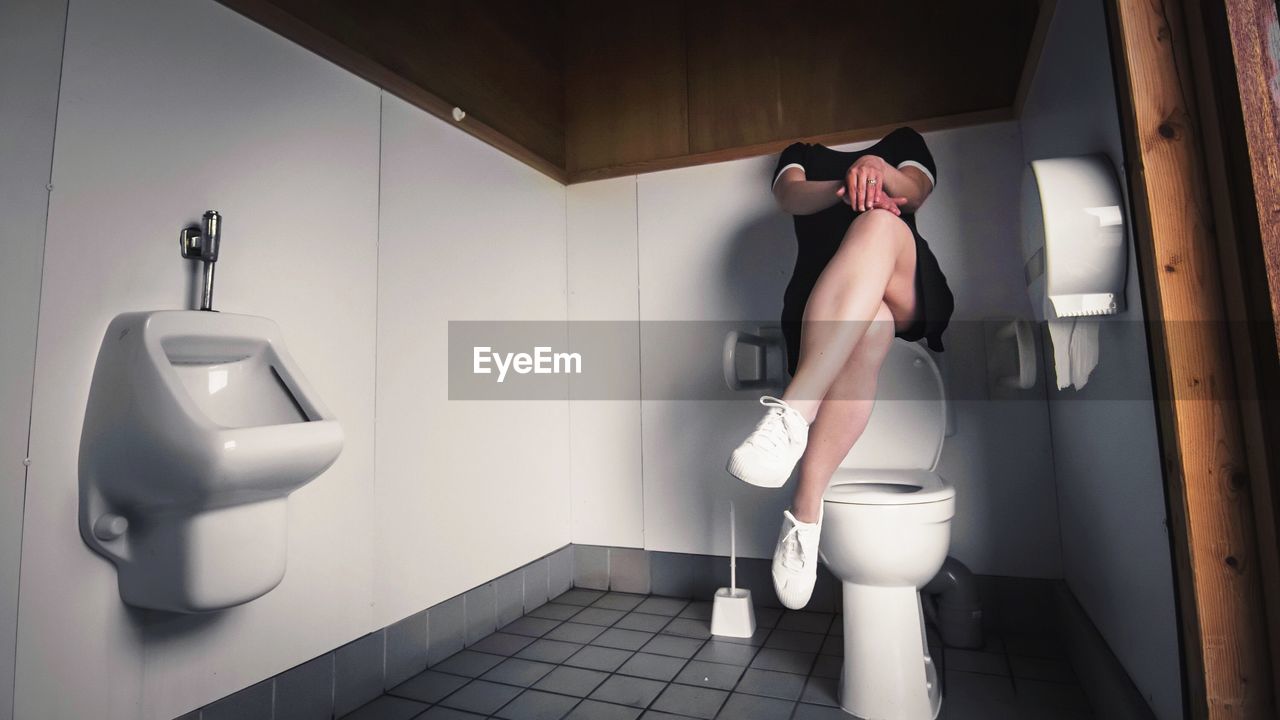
(888, 673)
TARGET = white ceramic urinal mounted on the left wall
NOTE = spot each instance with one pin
(199, 427)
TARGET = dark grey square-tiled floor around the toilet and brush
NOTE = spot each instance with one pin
(591, 655)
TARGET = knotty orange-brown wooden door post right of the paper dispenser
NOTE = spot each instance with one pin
(1212, 516)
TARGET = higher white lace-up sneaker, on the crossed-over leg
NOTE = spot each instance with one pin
(769, 455)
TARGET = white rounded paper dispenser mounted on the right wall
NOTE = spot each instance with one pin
(1075, 238)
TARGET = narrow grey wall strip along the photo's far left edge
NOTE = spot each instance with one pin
(31, 58)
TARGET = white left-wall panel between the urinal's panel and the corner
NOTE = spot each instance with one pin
(468, 490)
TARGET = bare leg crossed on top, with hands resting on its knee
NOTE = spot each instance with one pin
(875, 266)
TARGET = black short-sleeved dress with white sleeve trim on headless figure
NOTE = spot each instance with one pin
(819, 236)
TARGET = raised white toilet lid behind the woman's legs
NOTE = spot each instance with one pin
(909, 418)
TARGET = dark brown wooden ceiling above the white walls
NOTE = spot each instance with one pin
(586, 89)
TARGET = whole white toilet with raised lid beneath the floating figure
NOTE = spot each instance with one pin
(886, 531)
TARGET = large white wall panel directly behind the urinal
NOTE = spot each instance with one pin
(154, 129)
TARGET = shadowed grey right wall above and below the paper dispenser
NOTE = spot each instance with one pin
(1116, 545)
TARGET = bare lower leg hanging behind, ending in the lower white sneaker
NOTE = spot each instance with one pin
(843, 416)
